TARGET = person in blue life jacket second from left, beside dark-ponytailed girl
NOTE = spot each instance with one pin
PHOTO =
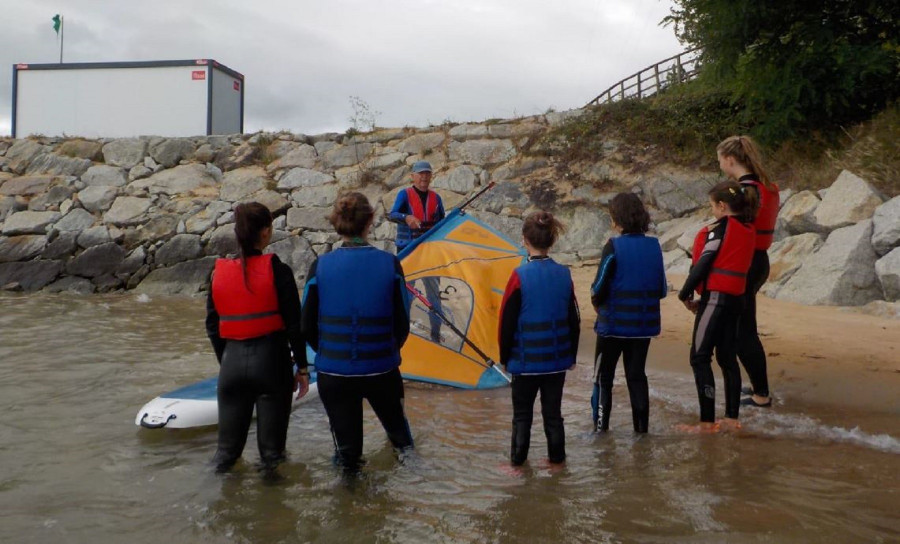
(356, 318)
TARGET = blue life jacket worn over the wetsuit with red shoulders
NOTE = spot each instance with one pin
(541, 343)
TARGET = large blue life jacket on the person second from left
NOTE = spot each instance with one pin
(356, 305)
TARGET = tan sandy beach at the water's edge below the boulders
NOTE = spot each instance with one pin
(843, 363)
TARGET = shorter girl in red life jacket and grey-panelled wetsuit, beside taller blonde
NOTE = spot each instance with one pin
(720, 261)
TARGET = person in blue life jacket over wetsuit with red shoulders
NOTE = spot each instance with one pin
(539, 329)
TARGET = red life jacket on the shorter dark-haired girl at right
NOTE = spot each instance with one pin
(729, 270)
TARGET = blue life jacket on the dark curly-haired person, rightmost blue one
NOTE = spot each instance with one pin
(632, 309)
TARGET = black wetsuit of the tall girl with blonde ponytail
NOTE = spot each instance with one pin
(750, 350)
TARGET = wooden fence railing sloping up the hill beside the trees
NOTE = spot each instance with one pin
(651, 80)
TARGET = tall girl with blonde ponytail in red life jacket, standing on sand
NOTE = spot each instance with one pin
(739, 159)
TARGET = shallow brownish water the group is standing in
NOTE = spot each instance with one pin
(74, 468)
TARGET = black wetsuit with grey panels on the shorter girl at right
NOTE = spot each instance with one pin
(715, 329)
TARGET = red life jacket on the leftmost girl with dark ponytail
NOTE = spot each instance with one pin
(246, 313)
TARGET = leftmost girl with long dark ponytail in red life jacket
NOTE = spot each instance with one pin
(253, 322)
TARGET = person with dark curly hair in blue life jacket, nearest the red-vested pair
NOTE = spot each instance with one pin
(630, 282)
